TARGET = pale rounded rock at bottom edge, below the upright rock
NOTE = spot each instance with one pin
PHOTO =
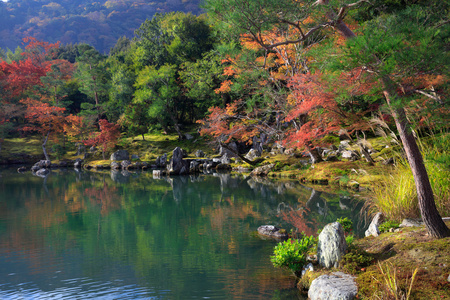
(337, 286)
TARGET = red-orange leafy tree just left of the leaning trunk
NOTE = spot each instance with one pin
(316, 112)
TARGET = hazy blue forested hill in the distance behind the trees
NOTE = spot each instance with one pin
(99, 24)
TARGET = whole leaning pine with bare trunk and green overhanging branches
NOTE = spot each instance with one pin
(311, 18)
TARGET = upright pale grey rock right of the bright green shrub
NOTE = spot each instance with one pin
(331, 246)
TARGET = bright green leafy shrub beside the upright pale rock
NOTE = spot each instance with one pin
(292, 253)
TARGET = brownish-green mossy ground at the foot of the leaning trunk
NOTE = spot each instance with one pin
(409, 249)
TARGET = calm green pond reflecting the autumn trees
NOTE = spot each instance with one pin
(112, 235)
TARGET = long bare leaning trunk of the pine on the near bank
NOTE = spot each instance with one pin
(430, 215)
